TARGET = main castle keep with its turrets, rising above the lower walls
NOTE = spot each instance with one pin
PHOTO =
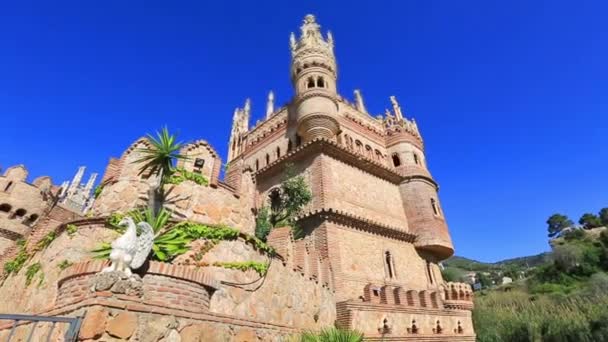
(372, 189)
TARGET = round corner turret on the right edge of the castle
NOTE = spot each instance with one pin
(418, 190)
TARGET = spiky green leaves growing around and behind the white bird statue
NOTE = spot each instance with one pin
(168, 242)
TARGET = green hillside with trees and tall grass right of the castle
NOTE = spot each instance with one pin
(561, 296)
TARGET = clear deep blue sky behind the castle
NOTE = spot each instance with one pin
(510, 96)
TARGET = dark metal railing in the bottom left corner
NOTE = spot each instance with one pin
(21, 322)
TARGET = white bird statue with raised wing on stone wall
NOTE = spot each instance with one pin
(130, 251)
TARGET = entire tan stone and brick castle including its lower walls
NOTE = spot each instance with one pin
(374, 231)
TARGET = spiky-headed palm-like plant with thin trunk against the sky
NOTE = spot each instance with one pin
(158, 159)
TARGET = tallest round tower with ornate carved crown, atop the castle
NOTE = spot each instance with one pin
(314, 75)
